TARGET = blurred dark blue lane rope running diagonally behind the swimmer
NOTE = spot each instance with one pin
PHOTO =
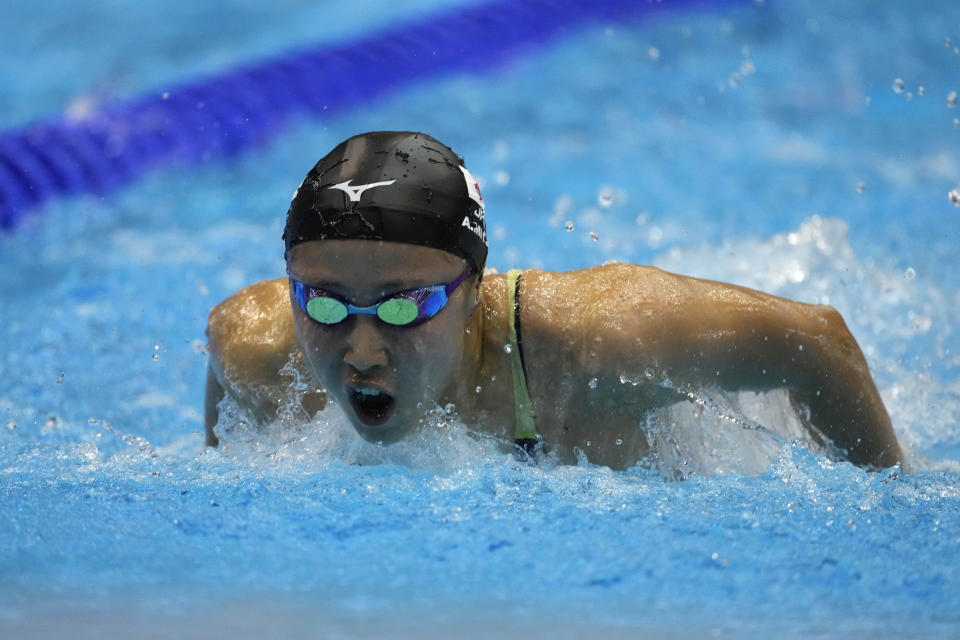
(223, 115)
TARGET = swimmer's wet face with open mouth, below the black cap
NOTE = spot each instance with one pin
(385, 377)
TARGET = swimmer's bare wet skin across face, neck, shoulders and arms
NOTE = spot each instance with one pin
(583, 331)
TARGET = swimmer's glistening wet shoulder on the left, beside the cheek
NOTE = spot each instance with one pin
(251, 333)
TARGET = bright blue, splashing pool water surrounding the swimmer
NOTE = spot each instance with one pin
(786, 146)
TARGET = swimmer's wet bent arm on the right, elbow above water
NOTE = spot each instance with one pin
(709, 333)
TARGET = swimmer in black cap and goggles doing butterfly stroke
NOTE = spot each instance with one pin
(388, 312)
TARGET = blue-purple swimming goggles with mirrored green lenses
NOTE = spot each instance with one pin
(402, 309)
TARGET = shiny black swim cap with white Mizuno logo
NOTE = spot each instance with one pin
(396, 186)
